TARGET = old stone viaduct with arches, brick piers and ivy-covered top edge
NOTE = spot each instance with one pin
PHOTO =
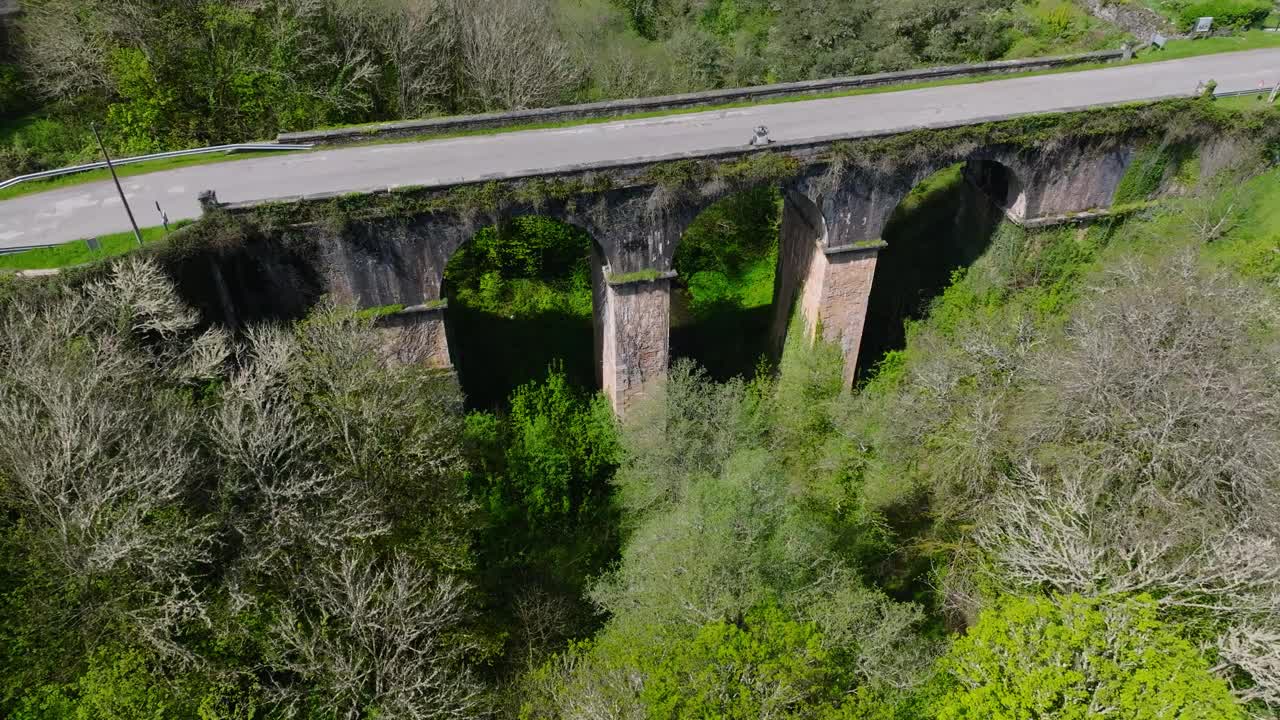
(392, 249)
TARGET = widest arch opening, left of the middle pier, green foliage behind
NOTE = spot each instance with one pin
(520, 302)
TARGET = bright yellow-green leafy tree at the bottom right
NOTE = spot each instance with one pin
(1077, 658)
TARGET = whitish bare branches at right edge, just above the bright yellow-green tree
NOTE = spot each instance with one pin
(1072, 535)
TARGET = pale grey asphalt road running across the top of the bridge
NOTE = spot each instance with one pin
(95, 209)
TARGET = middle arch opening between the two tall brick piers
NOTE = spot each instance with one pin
(721, 302)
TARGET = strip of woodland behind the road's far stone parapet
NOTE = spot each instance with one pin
(162, 75)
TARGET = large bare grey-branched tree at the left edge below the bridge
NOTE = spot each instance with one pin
(99, 457)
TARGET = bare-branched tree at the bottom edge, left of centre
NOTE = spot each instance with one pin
(378, 639)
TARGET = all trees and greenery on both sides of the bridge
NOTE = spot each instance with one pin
(1052, 494)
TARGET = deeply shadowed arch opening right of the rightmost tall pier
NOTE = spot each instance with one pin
(945, 224)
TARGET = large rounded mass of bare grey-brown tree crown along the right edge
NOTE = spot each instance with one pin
(1148, 459)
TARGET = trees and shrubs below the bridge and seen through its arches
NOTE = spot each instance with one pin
(1055, 498)
